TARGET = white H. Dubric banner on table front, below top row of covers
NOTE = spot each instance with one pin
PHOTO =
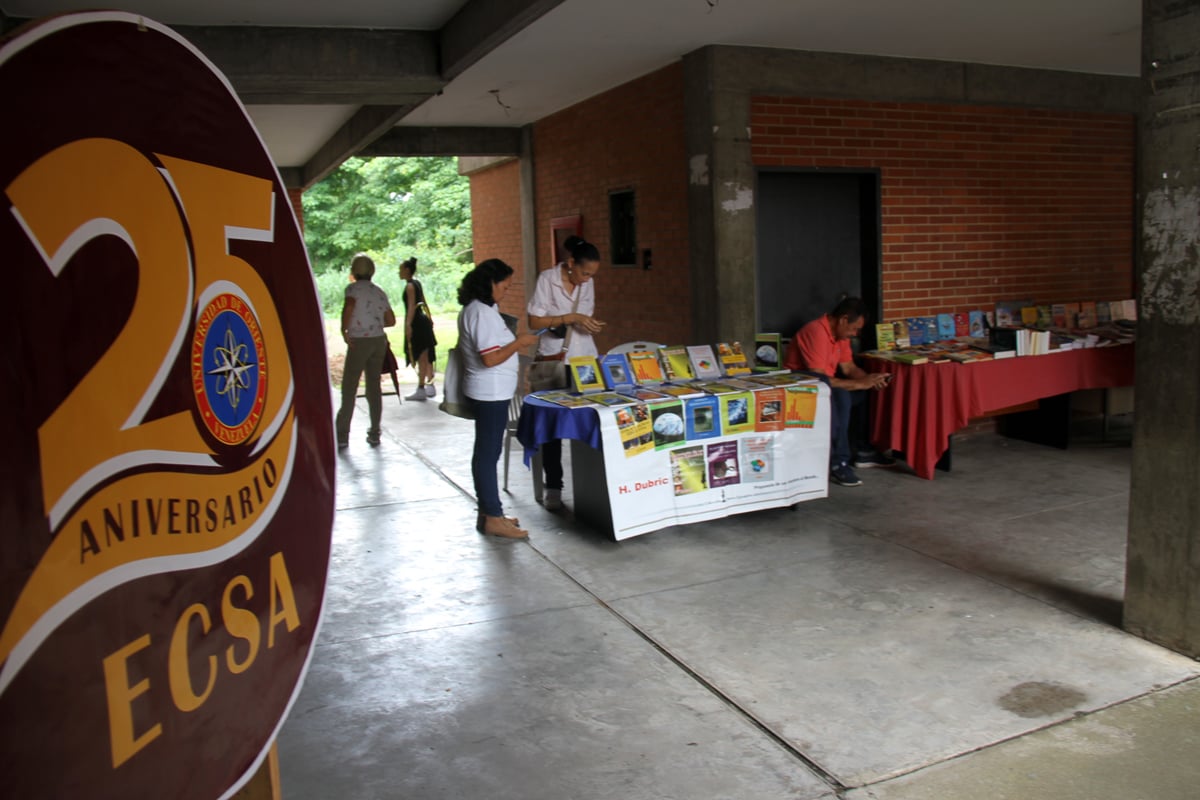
(713, 478)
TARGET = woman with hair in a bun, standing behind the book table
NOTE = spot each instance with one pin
(565, 302)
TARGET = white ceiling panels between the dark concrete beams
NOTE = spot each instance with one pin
(585, 47)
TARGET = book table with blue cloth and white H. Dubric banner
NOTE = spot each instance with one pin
(683, 435)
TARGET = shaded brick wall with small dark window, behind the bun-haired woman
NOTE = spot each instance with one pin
(631, 137)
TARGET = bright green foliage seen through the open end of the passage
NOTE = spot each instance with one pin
(391, 209)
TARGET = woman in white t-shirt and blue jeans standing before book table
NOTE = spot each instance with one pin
(490, 362)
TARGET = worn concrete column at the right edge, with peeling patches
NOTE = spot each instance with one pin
(1163, 573)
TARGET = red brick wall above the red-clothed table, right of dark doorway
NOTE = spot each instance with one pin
(979, 204)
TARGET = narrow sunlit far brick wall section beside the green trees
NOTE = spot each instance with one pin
(496, 226)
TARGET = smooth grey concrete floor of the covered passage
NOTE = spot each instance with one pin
(904, 640)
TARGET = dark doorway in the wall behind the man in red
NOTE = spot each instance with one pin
(819, 237)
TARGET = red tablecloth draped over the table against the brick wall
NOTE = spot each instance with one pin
(925, 405)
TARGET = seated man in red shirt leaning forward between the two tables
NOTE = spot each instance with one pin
(823, 347)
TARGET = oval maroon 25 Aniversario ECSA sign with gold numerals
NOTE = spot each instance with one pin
(166, 488)
